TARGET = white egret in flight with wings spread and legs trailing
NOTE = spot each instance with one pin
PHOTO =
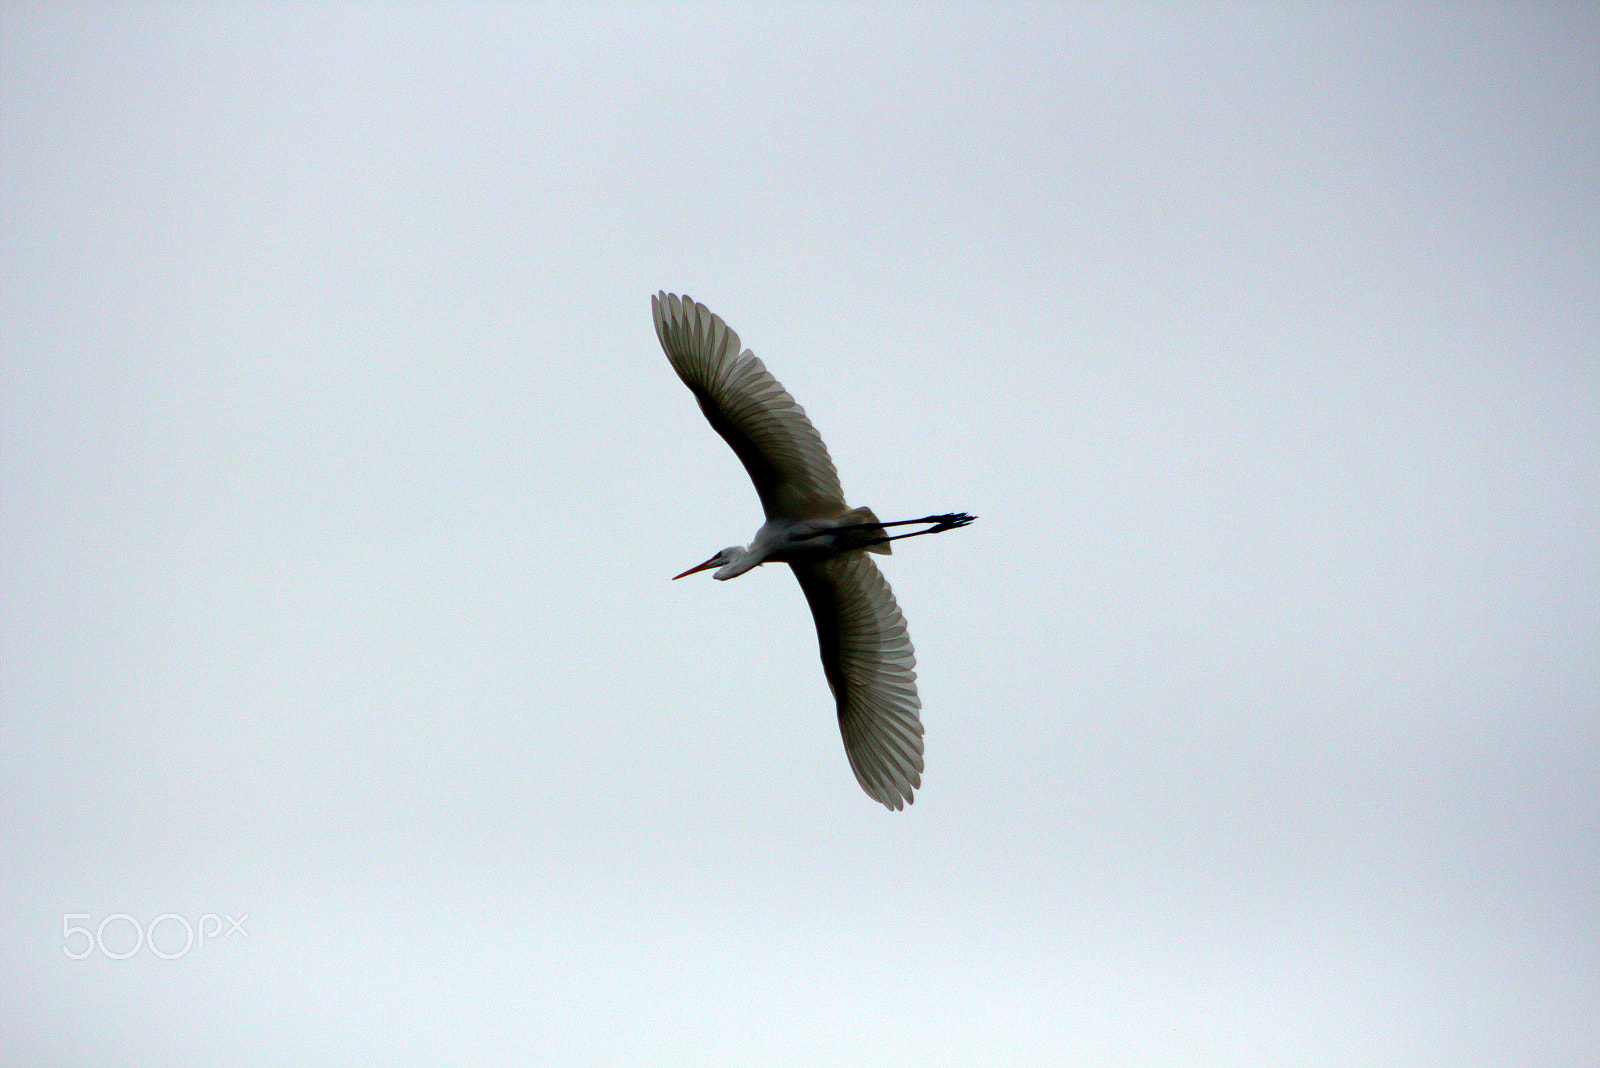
(866, 652)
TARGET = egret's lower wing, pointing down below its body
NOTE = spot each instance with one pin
(871, 669)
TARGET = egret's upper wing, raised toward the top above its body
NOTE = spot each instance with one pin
(745, 404)
